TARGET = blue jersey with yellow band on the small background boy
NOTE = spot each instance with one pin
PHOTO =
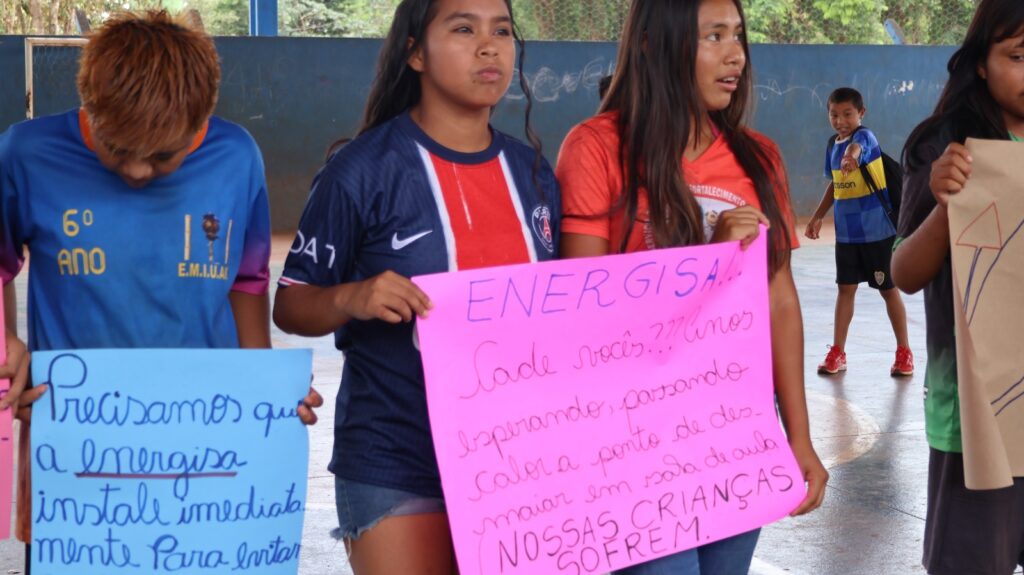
(861, 218)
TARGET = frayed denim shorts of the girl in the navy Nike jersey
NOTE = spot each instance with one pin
(361, 507)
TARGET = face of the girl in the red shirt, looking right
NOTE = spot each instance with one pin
(720, 53)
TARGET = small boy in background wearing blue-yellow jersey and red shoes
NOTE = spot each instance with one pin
(865, 232)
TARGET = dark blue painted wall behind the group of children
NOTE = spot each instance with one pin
(297, 96)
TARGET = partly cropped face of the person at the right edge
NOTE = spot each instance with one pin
(1004, 72)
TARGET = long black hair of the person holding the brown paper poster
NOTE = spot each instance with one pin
(966, 109)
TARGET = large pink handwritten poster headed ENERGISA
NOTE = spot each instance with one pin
(591, 415)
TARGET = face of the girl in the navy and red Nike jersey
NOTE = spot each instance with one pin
(467, 55)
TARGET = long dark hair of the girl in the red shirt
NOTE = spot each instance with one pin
(656, 93)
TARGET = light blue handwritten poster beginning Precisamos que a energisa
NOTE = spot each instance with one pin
(169, 462)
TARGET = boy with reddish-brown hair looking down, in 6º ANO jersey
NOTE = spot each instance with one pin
(146, 216)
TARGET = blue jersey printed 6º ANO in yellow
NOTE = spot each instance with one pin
(113, 267)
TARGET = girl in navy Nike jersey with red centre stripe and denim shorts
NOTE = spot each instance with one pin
(428, 187)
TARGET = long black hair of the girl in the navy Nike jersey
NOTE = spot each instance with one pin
(397, 86)
